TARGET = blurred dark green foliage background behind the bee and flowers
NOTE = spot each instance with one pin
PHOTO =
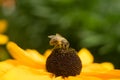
(93, 24)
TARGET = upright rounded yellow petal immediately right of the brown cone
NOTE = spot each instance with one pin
(85, 56)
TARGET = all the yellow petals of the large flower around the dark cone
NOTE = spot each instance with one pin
(29, 64)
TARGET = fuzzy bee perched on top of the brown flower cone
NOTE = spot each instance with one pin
(58, 41)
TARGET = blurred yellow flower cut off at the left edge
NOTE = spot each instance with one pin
(3, 38)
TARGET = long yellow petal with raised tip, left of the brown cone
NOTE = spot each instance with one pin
(25, 57)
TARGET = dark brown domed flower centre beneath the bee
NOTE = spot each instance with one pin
(64, 62)
